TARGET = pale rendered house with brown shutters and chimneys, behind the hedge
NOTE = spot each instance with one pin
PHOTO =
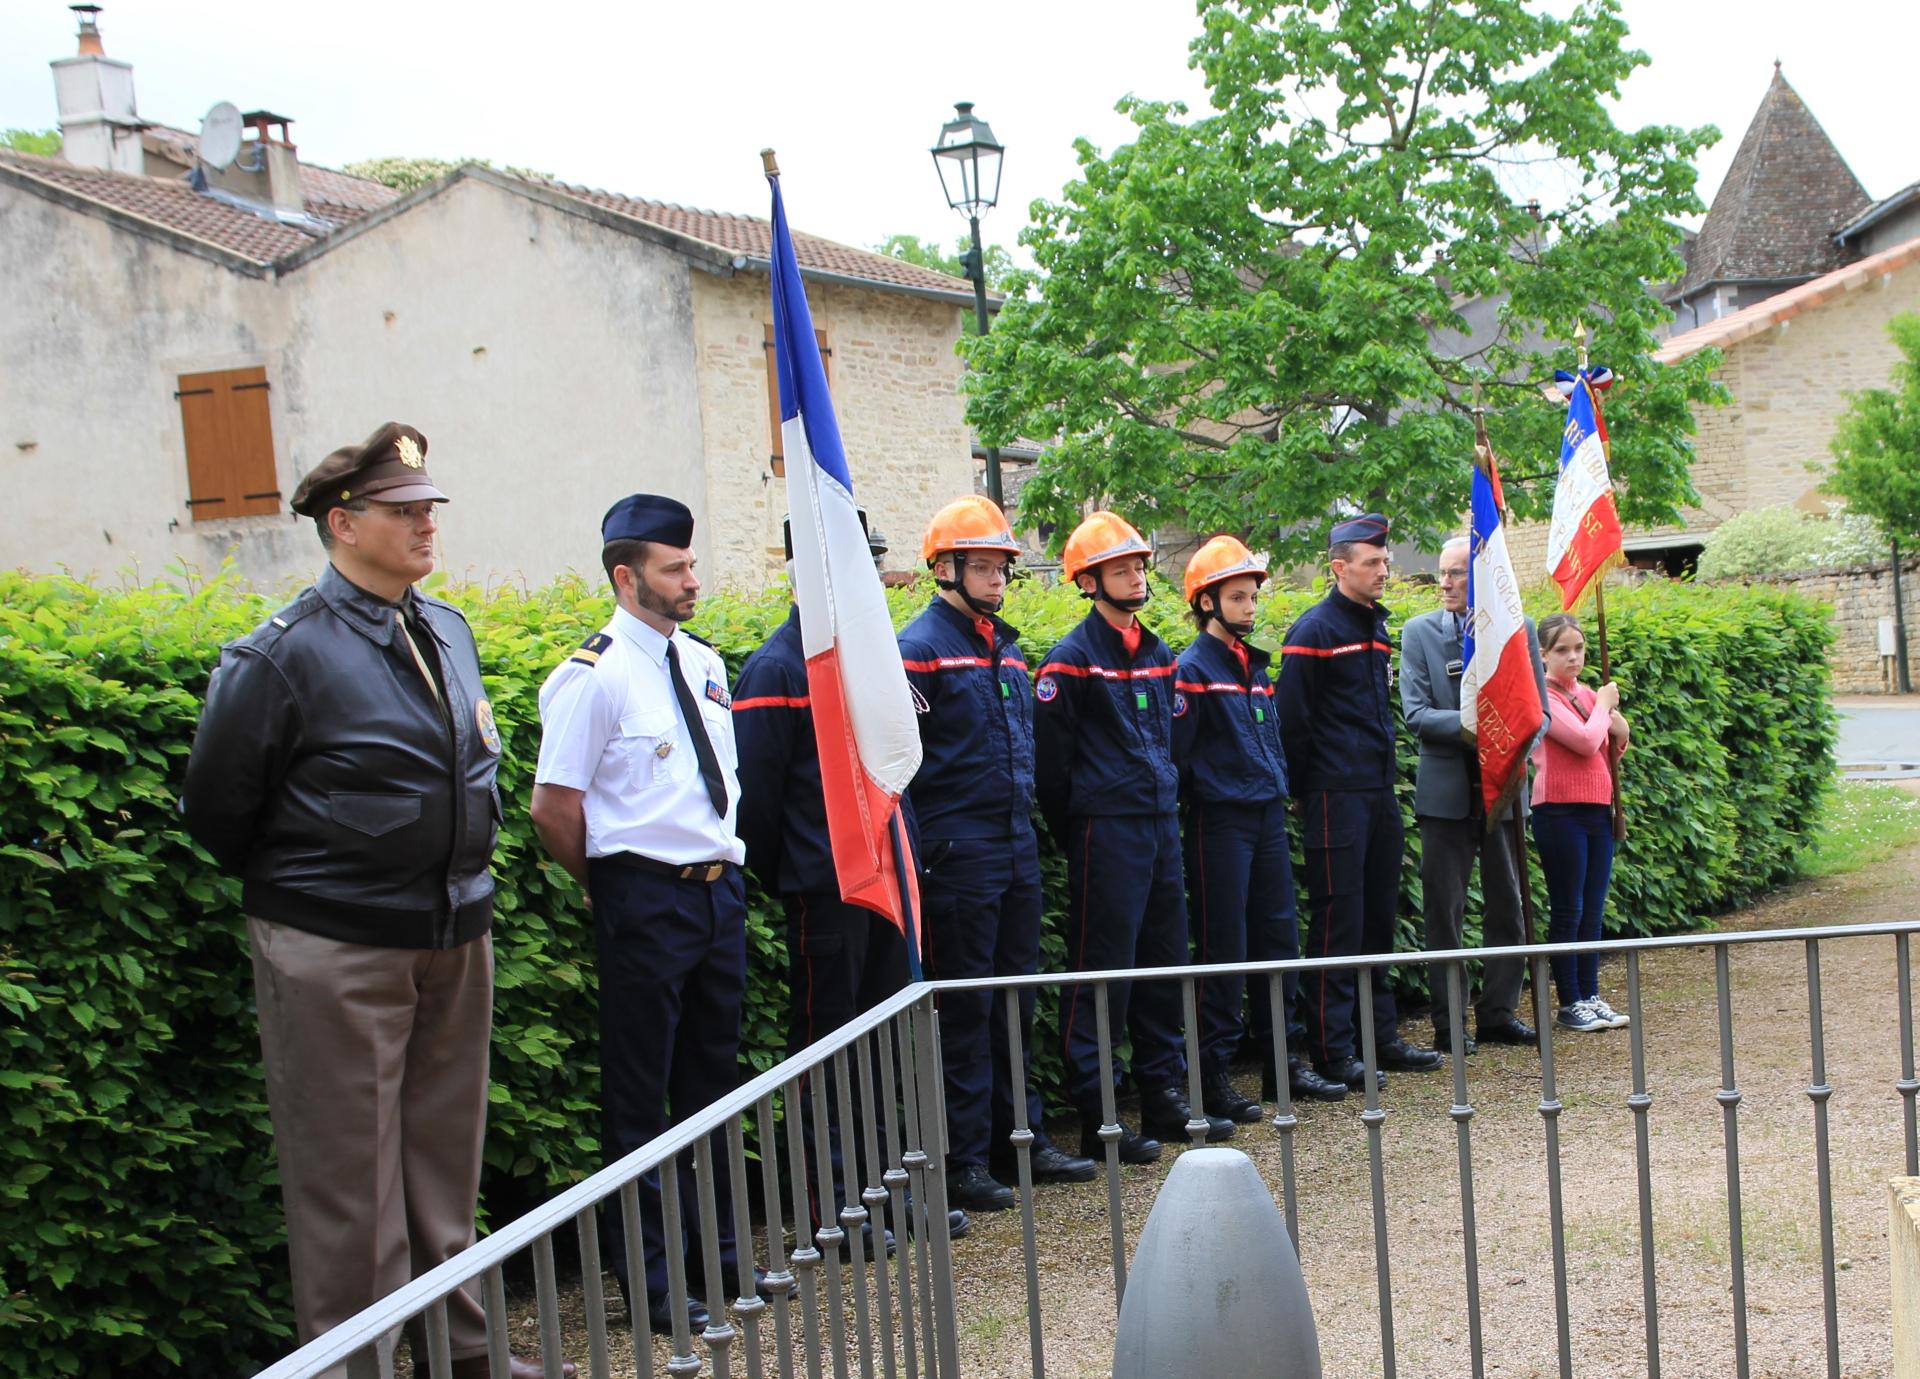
(185, 337)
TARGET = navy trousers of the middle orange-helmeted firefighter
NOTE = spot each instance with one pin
(1124, 911)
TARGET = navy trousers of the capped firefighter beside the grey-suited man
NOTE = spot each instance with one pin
(1355, 844)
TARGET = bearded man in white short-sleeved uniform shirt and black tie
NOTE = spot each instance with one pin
(636, 796)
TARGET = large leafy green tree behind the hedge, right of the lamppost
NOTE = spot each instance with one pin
(1259, 316)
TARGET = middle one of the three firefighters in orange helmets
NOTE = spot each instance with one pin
(1111, 794)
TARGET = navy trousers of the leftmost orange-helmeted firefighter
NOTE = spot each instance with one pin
(980, 902)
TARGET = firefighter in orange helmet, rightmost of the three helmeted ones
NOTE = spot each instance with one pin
(1234, 790)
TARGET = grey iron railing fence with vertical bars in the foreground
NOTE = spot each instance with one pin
(896, 1317)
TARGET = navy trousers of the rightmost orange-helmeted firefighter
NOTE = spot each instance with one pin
(1241, 906)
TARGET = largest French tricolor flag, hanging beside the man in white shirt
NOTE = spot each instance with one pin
(863, 708)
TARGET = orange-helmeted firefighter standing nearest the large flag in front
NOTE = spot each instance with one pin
(980, 886)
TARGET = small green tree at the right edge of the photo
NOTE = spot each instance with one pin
(1877, 460)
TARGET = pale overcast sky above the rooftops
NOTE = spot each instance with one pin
(675, 101)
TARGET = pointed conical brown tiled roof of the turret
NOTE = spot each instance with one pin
(1785, 197)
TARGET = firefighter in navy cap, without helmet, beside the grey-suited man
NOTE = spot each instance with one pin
(1337, 727)
